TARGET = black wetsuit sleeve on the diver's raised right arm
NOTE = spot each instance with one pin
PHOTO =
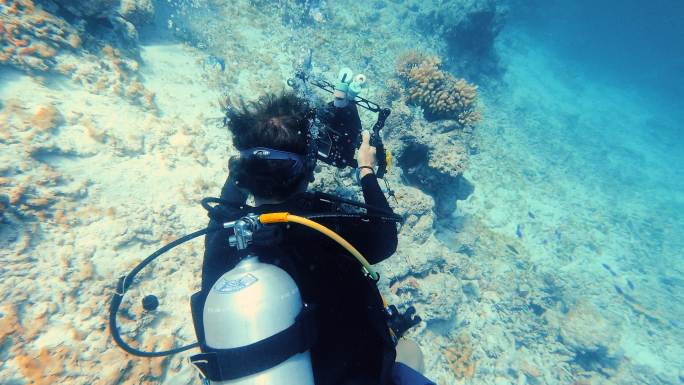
(375, 239)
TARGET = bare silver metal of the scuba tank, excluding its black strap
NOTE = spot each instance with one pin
(249, 303)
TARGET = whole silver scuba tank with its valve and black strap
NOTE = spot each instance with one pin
(254, 328)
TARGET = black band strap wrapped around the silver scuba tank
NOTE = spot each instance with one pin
(231, 364)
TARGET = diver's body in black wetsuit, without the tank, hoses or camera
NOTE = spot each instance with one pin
(353, 345)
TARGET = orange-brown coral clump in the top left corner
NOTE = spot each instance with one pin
(30, 37)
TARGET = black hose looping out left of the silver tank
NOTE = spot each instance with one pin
(124, 284)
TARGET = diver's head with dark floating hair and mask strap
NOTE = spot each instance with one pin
(272, 135)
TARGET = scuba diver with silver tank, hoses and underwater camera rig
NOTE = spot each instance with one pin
(288, 293)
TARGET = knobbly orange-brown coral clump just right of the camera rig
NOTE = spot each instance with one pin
(441, 95)
